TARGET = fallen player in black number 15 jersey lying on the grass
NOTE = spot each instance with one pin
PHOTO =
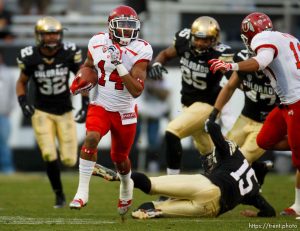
(231, 182)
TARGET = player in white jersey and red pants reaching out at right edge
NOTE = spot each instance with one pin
(277, 55)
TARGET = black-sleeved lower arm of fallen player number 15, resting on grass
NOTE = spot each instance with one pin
(259, 202)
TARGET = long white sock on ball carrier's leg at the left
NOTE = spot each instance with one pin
(85, 172)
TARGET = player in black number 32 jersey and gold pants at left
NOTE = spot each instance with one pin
(48, 66)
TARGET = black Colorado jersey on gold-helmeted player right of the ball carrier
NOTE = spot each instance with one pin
(199, 84)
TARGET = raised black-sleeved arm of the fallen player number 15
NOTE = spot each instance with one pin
(218, 138)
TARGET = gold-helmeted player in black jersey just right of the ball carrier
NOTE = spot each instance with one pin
(200, 87)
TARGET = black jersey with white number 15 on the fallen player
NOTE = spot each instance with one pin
(233, 174)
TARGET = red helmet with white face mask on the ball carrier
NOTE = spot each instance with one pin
(124, 25)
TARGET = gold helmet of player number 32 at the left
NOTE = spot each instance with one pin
(47, 25)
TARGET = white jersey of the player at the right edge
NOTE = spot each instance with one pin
(284, 70)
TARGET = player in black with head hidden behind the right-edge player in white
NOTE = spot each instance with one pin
(260, 99)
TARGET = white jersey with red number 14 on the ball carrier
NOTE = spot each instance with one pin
(111, 92)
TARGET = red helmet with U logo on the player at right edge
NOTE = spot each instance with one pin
(253, 24)
